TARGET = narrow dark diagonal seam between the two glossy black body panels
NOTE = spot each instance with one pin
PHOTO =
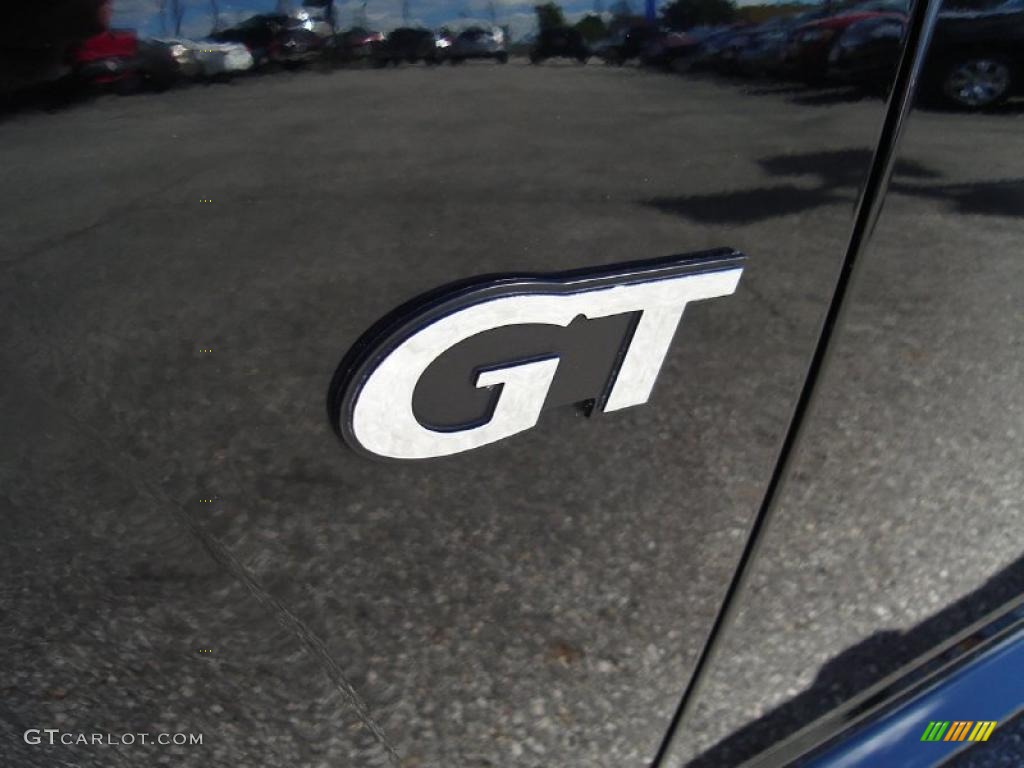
(919, 34)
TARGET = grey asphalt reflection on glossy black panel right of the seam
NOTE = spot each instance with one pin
(862, 552)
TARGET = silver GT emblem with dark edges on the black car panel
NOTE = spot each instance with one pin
(478, 362)
